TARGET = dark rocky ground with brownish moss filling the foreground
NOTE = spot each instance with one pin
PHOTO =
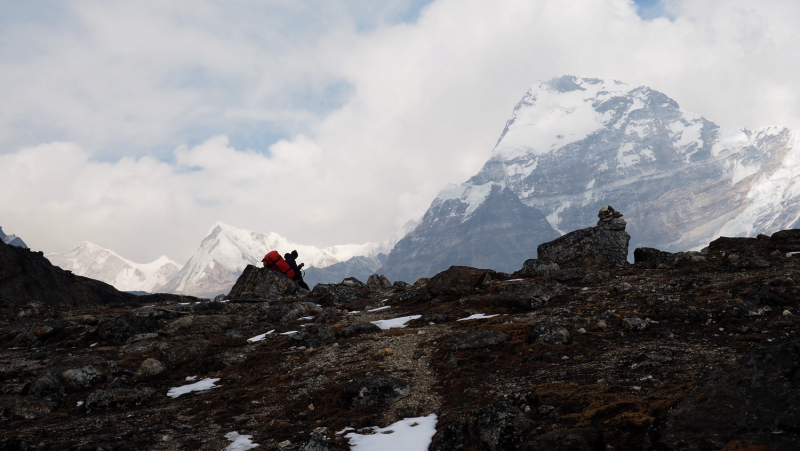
(677, 351)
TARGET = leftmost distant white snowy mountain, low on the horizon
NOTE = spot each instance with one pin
(90, 260)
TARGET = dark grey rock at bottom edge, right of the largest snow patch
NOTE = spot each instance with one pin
(498, 427)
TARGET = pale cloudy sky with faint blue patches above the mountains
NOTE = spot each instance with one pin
(138, 125)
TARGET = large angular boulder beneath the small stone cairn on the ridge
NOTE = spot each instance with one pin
(601, 247)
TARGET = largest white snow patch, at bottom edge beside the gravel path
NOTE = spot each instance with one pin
(408, 434)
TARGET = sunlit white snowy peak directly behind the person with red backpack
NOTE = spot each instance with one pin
(226, 251)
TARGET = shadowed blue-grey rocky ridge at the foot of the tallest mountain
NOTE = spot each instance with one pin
(486, 227)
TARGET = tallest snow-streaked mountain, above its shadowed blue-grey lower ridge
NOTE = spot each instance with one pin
(575, 144)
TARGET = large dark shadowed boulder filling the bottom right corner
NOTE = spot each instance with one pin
(753, 400)
